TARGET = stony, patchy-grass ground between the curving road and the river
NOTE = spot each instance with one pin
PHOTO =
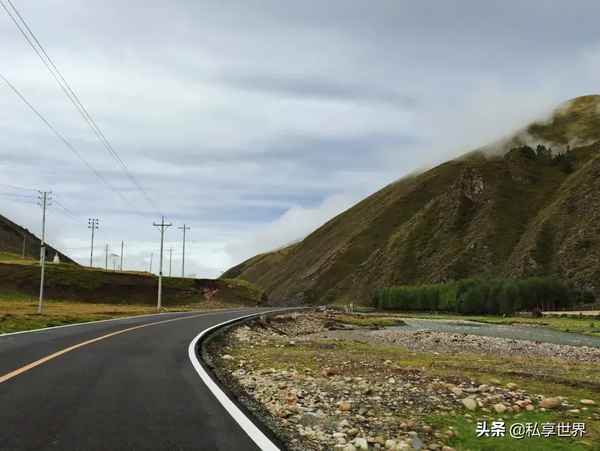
(325, 381)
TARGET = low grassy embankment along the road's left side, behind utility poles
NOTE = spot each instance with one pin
(75, 294)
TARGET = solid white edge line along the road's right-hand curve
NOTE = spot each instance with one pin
(257, 436)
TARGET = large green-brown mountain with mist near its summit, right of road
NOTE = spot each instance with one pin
(527, 205)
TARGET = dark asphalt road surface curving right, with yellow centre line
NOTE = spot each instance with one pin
(136, 390)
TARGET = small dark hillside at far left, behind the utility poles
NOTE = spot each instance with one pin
(12, 237)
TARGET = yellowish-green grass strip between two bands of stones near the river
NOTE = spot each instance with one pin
(542, 375)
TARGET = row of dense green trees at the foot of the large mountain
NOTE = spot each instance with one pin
(481, 296)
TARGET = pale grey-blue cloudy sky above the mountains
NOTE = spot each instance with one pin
(254, 122)
